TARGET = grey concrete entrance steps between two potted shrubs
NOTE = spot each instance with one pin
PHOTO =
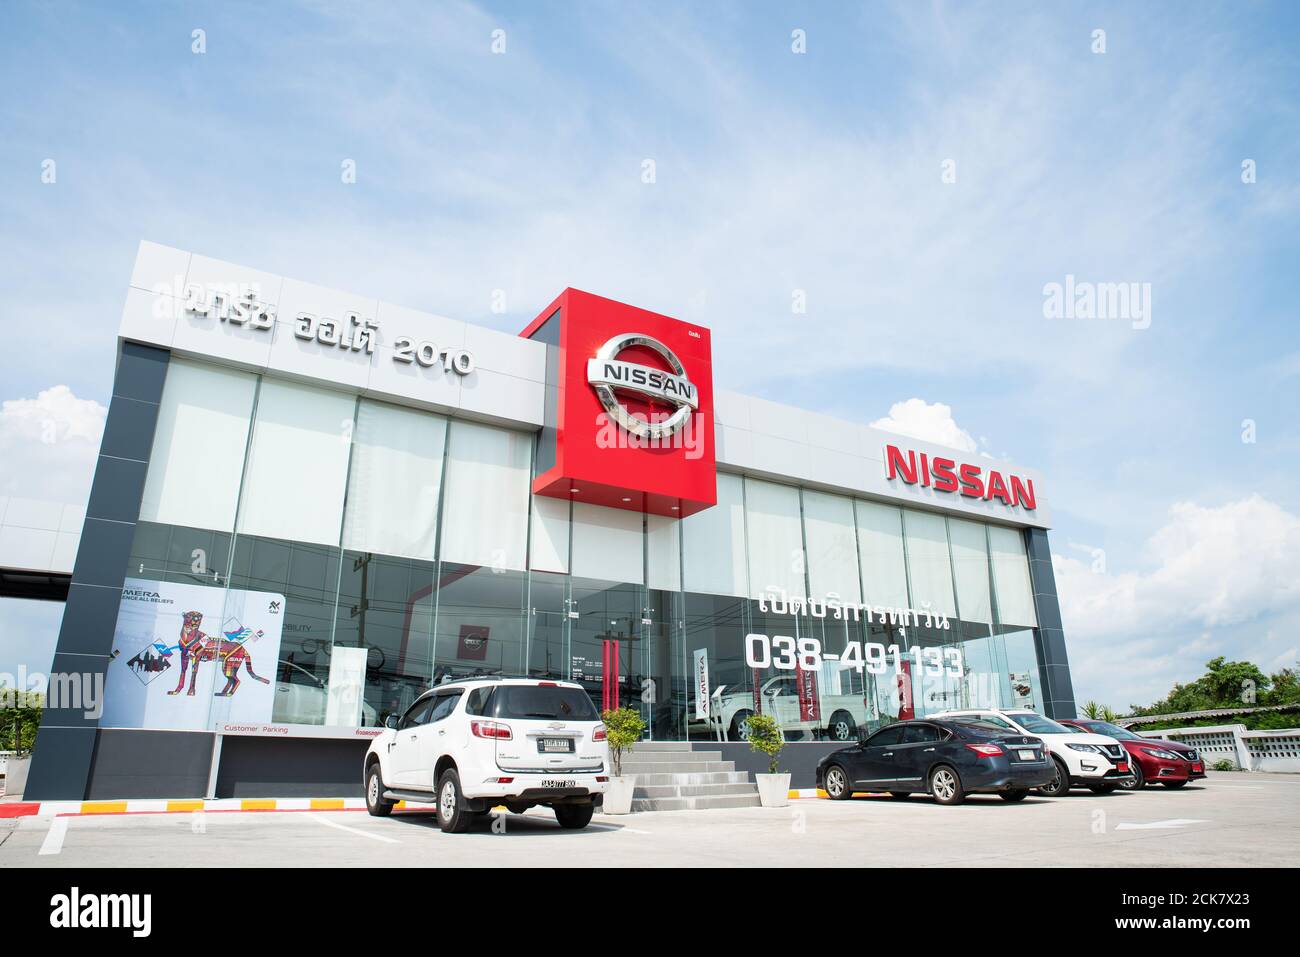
(674, 778)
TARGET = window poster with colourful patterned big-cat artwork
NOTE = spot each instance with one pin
(189, 656)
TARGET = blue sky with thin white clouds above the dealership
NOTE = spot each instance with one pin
(774, 172)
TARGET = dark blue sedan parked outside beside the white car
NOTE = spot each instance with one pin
(944, 759)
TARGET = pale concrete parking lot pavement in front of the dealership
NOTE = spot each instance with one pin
(1234, 820)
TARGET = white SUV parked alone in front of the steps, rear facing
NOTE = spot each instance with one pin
(473, 746)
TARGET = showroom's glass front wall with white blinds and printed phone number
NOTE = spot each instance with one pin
(372, 551)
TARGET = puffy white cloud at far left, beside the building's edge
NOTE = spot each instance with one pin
(49, 445)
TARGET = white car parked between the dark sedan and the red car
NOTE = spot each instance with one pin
(1082, 760)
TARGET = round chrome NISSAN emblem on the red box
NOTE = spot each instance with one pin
(609, 376)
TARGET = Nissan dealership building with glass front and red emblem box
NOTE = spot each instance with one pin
(311, 506)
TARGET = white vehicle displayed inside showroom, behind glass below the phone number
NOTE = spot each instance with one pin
(781, 698)
